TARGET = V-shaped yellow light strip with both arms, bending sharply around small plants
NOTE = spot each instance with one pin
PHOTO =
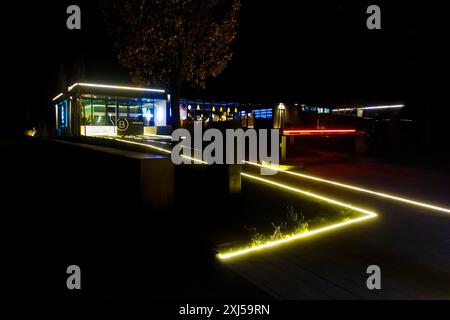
(369, 215)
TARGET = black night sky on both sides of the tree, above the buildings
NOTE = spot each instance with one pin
(310, 51)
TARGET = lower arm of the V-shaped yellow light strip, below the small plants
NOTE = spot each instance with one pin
(224, 256)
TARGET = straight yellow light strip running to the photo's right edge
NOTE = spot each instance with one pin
(380, 194)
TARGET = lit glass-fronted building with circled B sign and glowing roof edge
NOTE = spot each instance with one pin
(106, 110)
